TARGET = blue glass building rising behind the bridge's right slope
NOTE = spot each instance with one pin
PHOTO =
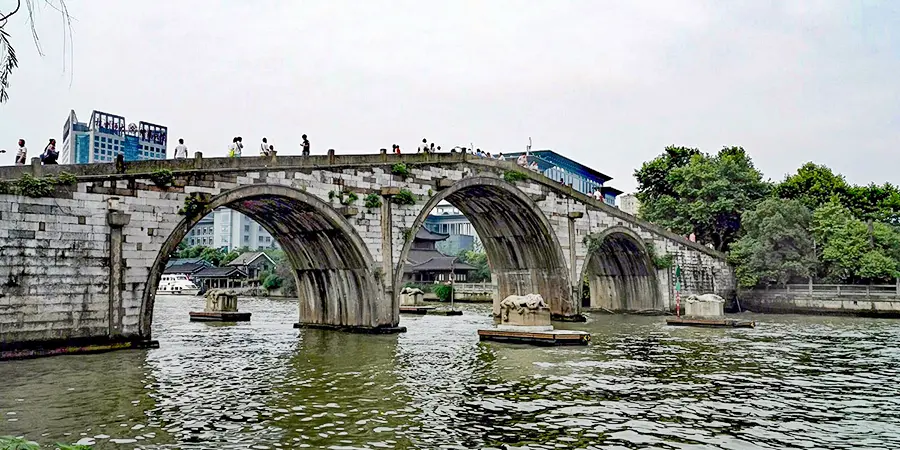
(582, 178)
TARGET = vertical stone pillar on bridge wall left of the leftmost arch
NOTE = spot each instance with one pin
(117, 220)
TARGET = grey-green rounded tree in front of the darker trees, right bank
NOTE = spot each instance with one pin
(776, 245)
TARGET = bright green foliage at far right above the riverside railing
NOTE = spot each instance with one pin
(852, 251)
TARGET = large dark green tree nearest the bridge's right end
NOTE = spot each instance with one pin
(706, 196)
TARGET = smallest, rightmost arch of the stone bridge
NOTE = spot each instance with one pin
(620, 272)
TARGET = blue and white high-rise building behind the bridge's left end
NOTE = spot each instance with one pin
(108, 135)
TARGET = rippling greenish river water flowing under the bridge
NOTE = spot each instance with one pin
(793, 382)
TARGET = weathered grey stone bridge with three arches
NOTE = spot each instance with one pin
(82, 264)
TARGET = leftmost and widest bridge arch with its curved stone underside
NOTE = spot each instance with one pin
(337, 283)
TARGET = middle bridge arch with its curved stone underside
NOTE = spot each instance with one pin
(522, 246)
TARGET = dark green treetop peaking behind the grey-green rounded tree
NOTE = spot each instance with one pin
(813, 185)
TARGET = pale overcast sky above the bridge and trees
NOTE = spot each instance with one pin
(607, 83)
